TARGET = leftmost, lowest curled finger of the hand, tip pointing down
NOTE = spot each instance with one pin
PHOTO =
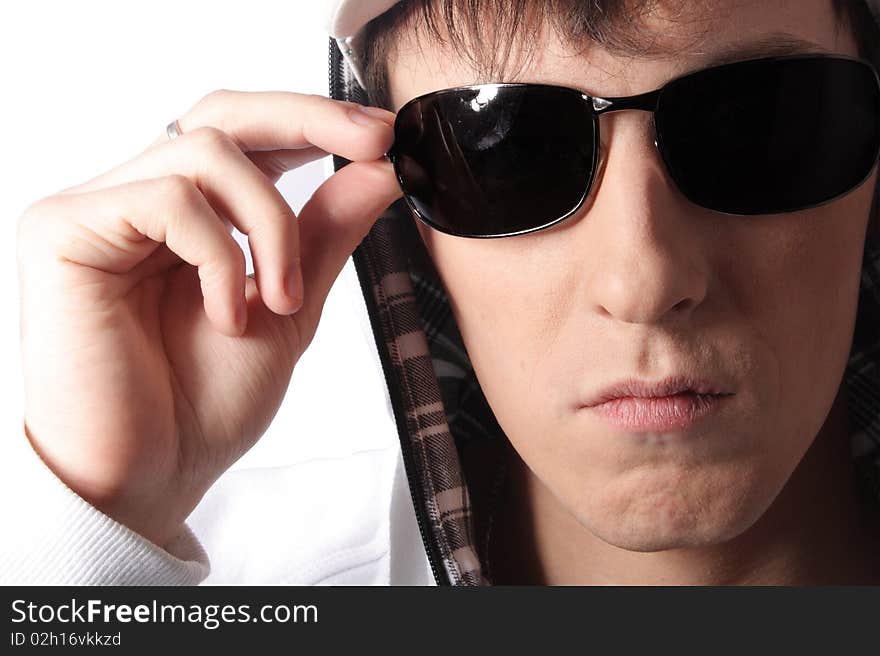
(117, 228)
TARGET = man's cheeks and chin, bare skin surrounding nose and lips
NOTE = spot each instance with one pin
(779, 317)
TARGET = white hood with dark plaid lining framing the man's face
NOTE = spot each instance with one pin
(450, 440)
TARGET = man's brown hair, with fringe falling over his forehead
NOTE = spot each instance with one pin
(487, 32)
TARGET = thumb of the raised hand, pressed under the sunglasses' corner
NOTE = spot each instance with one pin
(336, 219)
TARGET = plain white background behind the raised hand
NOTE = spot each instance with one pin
(89, 84)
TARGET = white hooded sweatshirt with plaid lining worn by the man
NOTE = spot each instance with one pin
(392, 506)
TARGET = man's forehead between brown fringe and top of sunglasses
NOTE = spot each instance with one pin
(679, 36)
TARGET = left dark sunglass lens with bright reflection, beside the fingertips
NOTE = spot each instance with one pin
(494, 159)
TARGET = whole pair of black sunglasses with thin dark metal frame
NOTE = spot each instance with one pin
(760, 136)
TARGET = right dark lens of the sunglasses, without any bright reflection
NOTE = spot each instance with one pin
(770, 136)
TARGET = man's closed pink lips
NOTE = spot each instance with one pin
(671, 404)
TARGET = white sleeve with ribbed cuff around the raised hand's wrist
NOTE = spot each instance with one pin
(52, 536)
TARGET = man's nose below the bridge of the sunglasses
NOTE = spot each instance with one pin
(650, 259)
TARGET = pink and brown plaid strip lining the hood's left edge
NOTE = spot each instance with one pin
(439, 483)
